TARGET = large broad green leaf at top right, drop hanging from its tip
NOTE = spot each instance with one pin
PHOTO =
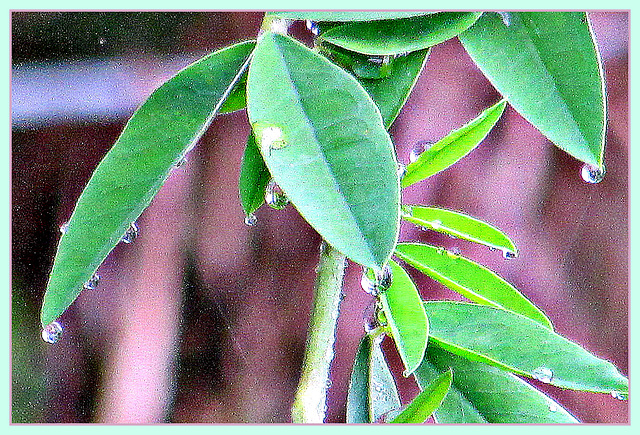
(547, 66)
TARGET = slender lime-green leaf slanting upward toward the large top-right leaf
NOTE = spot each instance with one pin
(454, 146)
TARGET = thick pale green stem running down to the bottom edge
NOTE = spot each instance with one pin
(309, 405)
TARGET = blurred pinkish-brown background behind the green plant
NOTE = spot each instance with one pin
(203, 319)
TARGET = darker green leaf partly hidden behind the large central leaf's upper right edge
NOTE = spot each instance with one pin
(391, 92)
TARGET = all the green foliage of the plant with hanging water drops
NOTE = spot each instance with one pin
(320, 120)
